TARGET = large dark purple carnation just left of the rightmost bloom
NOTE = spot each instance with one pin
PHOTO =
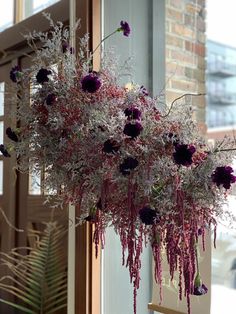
(183, 154)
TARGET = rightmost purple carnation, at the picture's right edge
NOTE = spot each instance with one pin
(223, 176)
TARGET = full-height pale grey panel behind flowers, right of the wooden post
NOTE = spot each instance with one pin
(116, 284)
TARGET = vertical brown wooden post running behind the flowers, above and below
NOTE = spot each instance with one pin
(87, 267)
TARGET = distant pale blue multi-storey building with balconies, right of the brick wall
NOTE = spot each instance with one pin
(221, 86)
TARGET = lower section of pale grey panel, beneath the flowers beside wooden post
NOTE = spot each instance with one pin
(116, 284)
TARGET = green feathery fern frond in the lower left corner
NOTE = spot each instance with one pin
(39, 279)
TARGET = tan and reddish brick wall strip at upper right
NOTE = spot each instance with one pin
(185, 52)
